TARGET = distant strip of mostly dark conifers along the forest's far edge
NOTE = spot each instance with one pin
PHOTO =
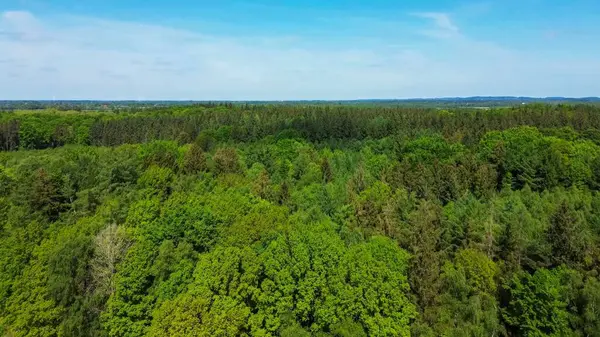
(39, 130)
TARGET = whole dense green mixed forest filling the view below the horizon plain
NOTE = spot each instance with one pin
(300, 220)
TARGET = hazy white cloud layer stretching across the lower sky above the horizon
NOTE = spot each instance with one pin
(86, 58)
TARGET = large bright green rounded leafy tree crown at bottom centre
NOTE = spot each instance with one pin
(370, 278)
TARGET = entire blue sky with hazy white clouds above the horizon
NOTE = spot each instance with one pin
(297, 50)
